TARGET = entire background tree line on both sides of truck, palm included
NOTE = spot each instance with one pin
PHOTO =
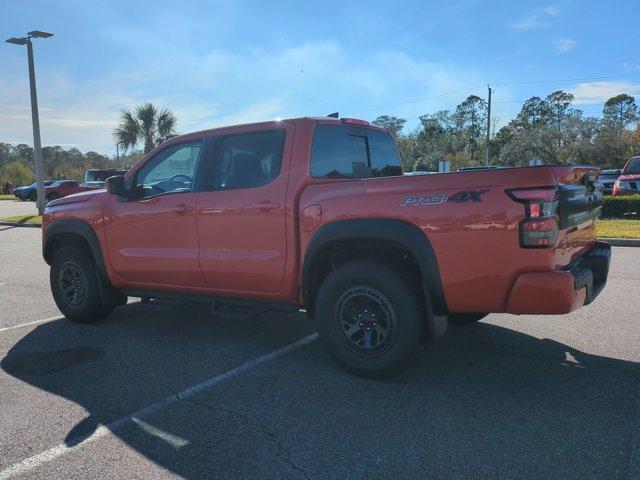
(547, 129)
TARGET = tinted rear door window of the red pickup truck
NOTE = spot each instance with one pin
(248, 160)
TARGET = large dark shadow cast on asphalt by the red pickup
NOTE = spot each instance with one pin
(485, 402)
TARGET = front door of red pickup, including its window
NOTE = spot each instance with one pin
(152, 237)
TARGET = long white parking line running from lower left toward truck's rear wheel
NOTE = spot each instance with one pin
(76, 443)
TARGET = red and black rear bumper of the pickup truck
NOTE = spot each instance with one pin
(562, 291)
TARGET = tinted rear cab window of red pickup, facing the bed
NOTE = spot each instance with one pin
(351, 152)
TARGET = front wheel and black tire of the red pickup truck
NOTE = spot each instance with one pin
(75, 286)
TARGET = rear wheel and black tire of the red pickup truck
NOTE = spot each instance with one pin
(370, 318)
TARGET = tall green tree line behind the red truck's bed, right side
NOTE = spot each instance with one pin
(547, 129)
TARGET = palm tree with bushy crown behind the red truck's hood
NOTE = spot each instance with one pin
(148, 125)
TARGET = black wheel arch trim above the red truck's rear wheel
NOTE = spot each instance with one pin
(398, 231)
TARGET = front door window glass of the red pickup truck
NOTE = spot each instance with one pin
(170, 171)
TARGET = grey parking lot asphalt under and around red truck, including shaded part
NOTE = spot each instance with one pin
(509, 397)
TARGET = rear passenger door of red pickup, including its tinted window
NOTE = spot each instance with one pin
(241, 211)
